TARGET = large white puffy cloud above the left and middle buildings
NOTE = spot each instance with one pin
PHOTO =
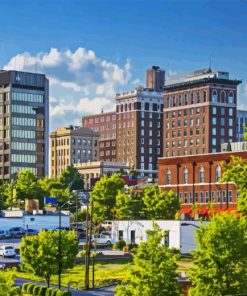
(80, 82)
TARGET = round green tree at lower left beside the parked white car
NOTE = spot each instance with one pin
(39, 253)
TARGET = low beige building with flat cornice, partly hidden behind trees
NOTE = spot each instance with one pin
(96, 169)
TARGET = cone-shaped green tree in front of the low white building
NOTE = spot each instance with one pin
(153, 272)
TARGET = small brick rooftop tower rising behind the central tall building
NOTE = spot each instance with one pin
(155, 78)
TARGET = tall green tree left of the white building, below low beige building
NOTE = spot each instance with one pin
(104, 196)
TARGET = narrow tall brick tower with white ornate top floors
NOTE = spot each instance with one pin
(139, 129)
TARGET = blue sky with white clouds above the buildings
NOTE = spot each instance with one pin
(120, 40)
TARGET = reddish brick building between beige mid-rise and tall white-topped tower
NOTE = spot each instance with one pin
(105, 125)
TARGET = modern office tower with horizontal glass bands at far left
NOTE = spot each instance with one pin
(24, 123)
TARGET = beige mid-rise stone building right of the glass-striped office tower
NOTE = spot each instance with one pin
(71, 145)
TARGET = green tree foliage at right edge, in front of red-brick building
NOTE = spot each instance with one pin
(236, 172)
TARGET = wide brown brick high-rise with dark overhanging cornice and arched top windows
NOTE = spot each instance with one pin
(199, 113)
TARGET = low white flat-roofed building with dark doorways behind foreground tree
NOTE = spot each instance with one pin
(181, 234)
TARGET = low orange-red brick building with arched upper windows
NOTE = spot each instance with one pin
(195, 179)
